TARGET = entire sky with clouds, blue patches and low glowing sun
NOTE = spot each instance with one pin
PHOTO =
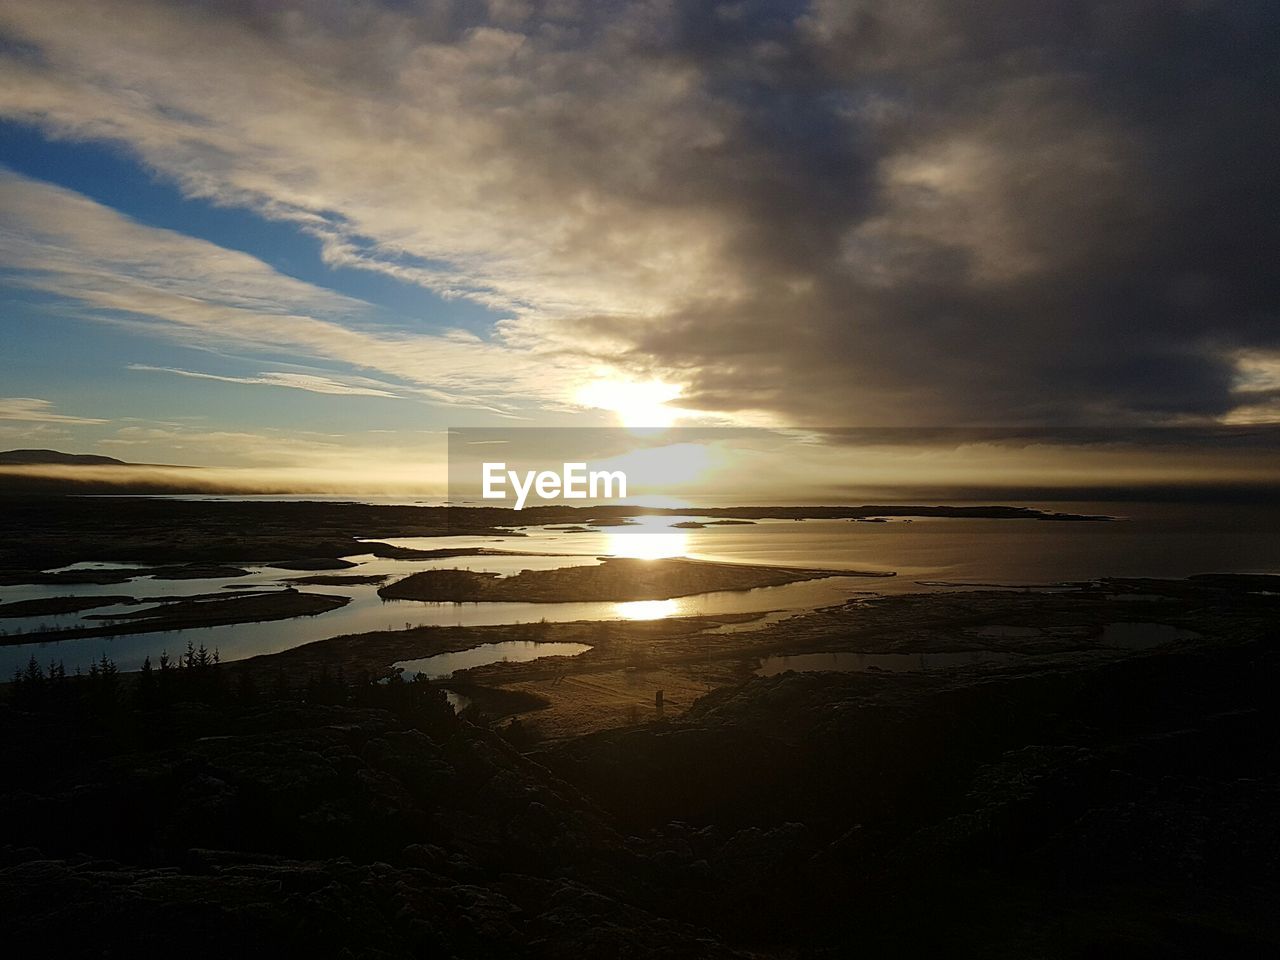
(312, 237)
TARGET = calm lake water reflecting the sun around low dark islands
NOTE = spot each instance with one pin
(1150, 541)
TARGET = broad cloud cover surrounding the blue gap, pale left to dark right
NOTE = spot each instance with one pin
(995, 213)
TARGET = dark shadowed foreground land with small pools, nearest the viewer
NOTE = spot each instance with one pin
(1085, 796)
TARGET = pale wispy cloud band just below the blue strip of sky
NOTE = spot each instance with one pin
(117, 271)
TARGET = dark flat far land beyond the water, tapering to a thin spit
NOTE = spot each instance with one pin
(39, 534)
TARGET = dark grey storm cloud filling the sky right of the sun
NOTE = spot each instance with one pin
(990, 212)
